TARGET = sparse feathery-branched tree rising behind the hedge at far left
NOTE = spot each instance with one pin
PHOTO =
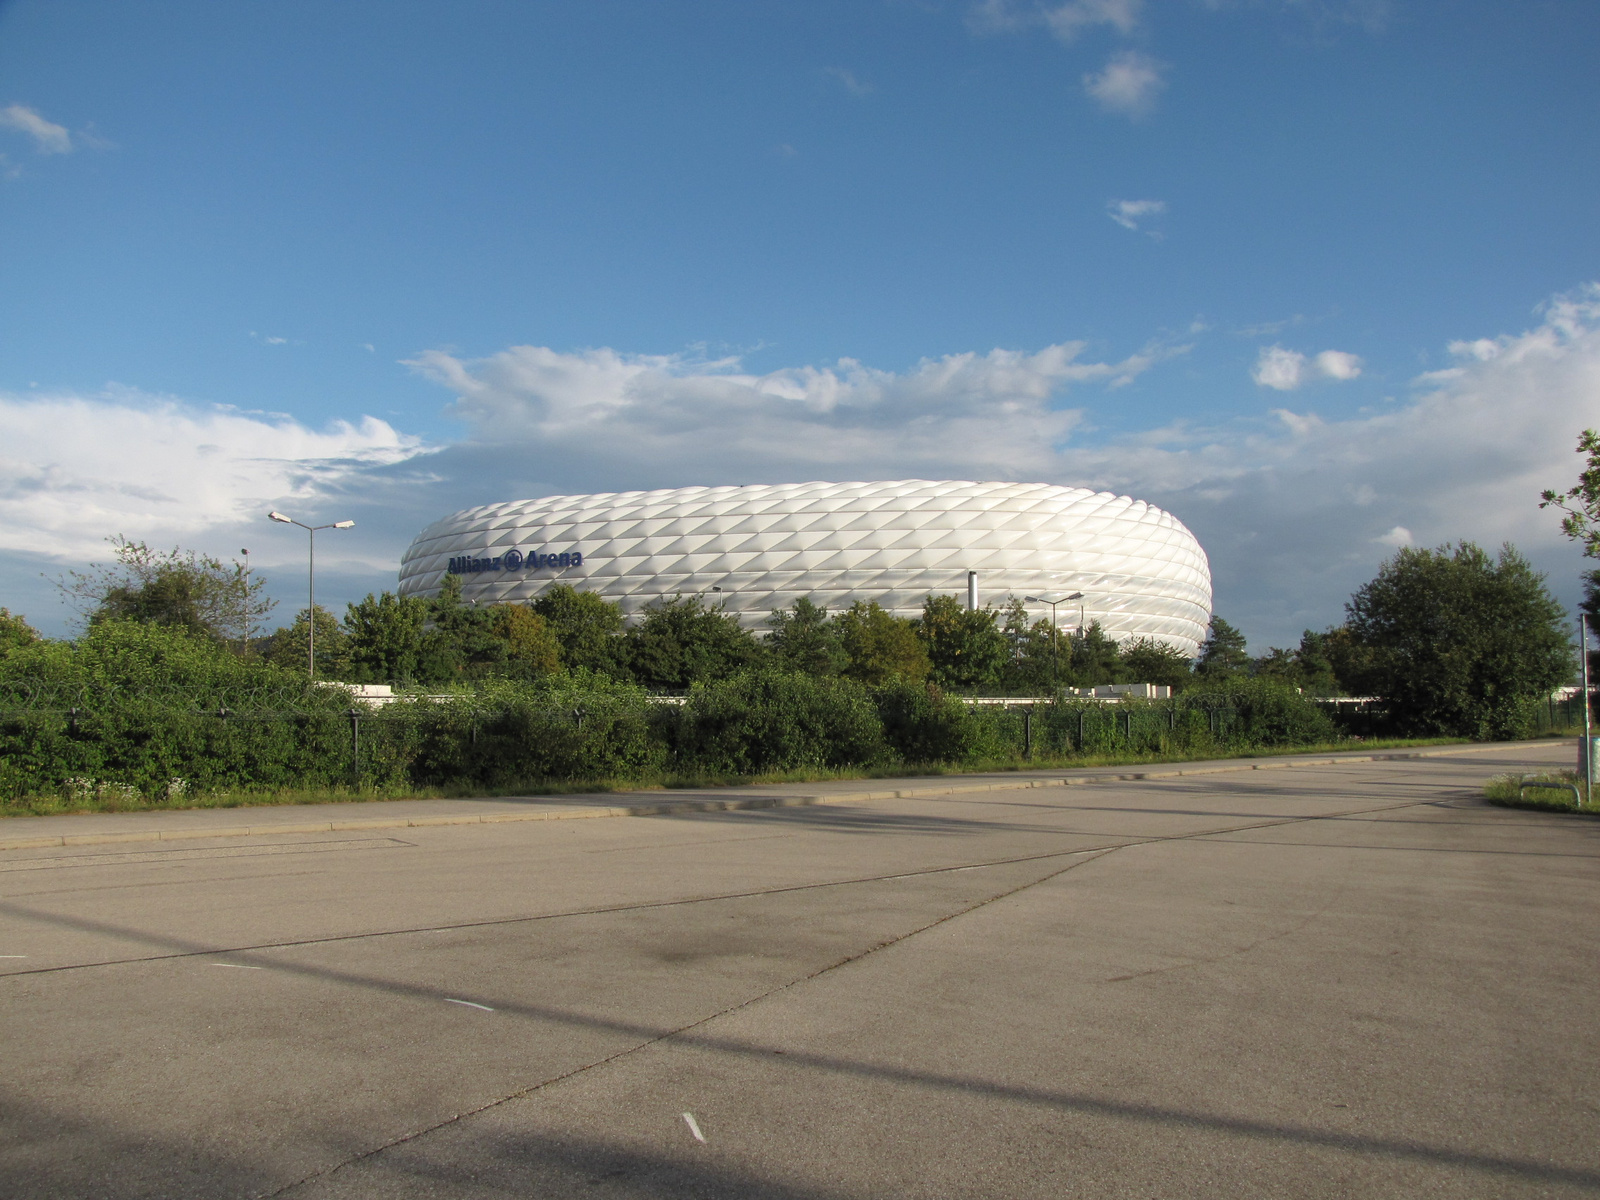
(170, 588)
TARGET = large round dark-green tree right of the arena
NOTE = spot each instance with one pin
(1460, 644)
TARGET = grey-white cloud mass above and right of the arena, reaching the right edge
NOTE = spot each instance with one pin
(1295, 511)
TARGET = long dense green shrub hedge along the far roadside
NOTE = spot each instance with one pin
(145, 714)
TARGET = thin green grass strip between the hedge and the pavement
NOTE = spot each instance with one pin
(55, 806)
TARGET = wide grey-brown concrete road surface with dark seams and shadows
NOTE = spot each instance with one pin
(1326, 982)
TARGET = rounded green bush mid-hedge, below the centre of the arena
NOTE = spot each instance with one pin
(774, 721)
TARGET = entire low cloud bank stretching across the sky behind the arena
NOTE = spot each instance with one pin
(1295, 510)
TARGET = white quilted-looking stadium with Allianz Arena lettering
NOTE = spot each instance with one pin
(764, 546)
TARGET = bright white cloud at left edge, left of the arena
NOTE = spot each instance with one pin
(76, 470)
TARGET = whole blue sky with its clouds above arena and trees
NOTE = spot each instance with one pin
(1318, 276)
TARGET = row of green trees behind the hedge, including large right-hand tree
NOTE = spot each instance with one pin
(1449, 641)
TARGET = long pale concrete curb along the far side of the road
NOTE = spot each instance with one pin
(730, 806)
